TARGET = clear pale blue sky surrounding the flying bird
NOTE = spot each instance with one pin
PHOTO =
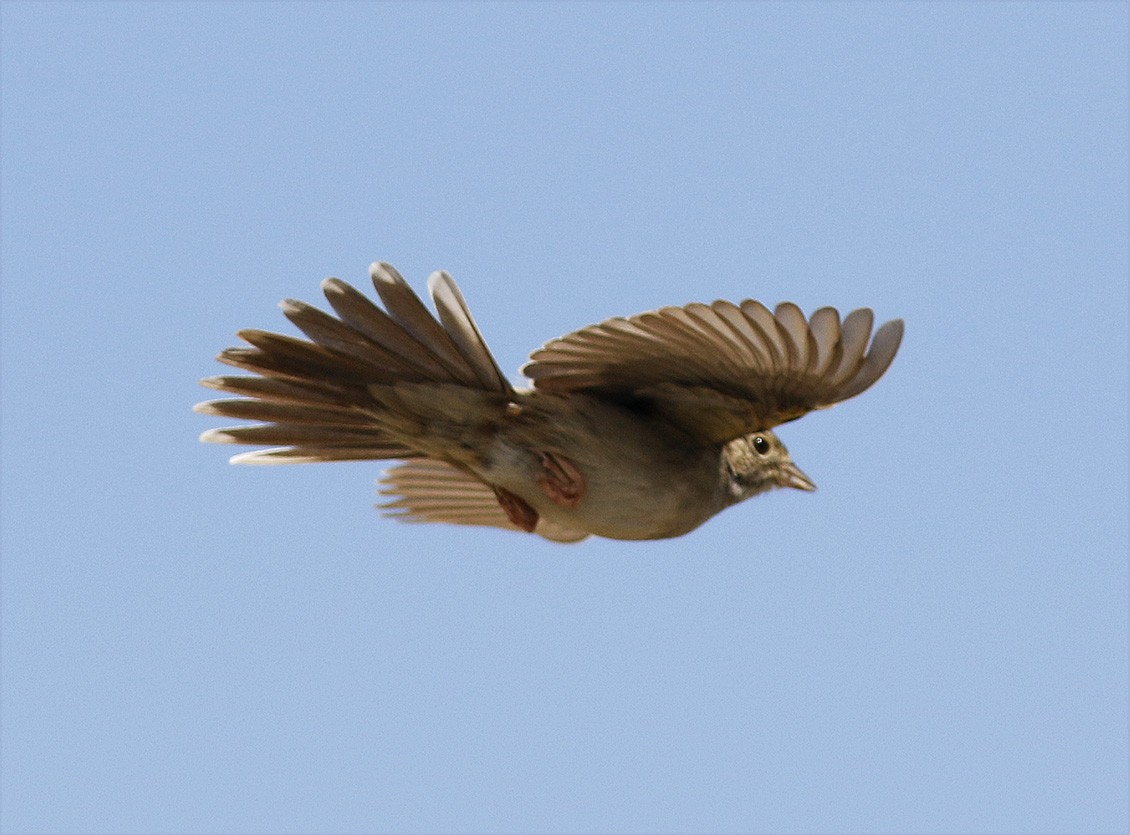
(936, 641)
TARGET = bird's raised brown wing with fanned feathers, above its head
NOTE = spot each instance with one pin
(724, 370)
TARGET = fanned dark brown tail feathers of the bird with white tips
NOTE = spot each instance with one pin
(326, 399)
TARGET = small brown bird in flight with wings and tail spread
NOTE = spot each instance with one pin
(640, 428)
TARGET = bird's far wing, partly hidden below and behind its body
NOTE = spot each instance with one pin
(428, 491)
